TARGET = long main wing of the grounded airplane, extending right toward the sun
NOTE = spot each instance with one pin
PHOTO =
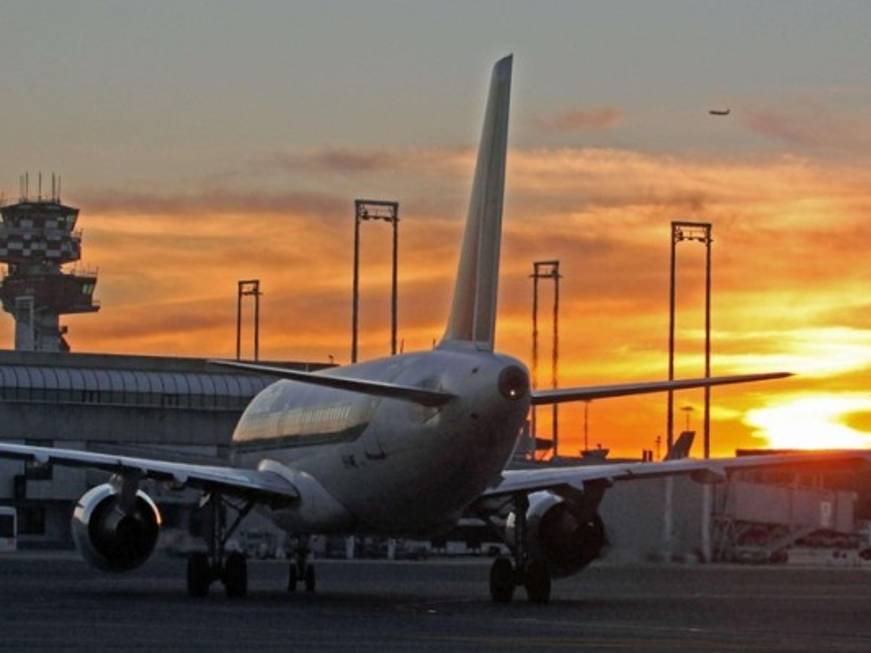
(710, 470)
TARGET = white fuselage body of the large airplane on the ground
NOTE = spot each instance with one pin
(372, 465)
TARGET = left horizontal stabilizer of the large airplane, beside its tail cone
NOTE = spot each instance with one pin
(422, 396)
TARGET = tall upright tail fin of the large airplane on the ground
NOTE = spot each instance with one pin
(473, 312)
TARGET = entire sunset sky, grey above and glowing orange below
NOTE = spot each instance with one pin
(197, 160)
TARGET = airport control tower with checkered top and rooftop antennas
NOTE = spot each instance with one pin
(37, 238)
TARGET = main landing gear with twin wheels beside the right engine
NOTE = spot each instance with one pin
(507, 574)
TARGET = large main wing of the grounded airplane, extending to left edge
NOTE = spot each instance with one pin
(247, 482)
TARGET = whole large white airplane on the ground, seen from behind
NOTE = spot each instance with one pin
(399, 446)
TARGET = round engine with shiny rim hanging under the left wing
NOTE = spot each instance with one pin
(111, 537)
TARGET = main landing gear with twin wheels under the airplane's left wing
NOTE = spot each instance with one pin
(229, 568)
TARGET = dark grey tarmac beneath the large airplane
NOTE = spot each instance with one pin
(52, 602)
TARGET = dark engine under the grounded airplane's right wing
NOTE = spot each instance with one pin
(560, 535)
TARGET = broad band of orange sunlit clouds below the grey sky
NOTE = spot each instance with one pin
(790, 265)
